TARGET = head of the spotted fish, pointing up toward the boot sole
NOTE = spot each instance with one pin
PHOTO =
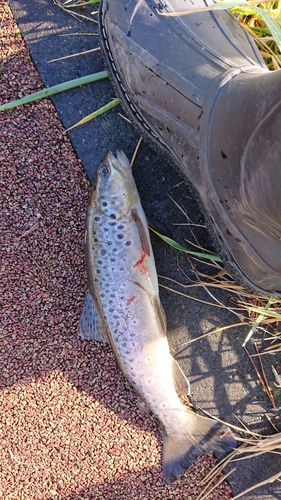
(114, 192)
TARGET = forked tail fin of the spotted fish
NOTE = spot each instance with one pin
(204, 434)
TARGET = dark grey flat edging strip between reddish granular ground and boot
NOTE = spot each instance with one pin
(223, 381)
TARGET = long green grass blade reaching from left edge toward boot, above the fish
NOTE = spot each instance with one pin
(56, 89)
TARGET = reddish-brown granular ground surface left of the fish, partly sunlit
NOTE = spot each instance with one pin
(69, 424)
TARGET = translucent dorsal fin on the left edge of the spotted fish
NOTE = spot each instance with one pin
(91, 324)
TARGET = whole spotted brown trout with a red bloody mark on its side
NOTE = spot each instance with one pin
(122, 307)
